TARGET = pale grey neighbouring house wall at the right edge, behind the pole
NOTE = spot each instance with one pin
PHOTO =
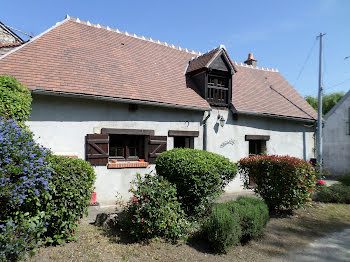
(336, 137)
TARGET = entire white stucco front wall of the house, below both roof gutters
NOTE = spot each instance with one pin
(62, 123)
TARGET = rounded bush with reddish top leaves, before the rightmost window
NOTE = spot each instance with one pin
(285, 183)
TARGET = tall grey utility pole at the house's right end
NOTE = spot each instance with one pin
(319, 118)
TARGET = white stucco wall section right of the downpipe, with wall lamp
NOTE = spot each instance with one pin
(287, 137)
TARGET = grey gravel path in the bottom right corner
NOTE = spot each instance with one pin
(334, 247)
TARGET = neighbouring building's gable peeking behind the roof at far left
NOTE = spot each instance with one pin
(8, 39)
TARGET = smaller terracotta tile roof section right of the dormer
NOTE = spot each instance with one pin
(267, 92)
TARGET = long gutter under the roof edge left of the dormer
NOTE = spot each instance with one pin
(116, 99)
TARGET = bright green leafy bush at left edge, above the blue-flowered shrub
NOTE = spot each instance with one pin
(15, 99)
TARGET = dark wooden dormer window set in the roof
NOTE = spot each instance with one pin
(218, 91)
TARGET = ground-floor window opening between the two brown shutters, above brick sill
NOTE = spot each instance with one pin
(127, 147)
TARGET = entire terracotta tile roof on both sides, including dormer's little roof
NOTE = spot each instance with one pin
(82, 58)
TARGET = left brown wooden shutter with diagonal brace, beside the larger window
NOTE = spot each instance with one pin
(97, 146)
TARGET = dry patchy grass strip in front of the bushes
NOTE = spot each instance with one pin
(280, 236)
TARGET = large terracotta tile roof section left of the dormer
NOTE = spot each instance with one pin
(77, 58)
